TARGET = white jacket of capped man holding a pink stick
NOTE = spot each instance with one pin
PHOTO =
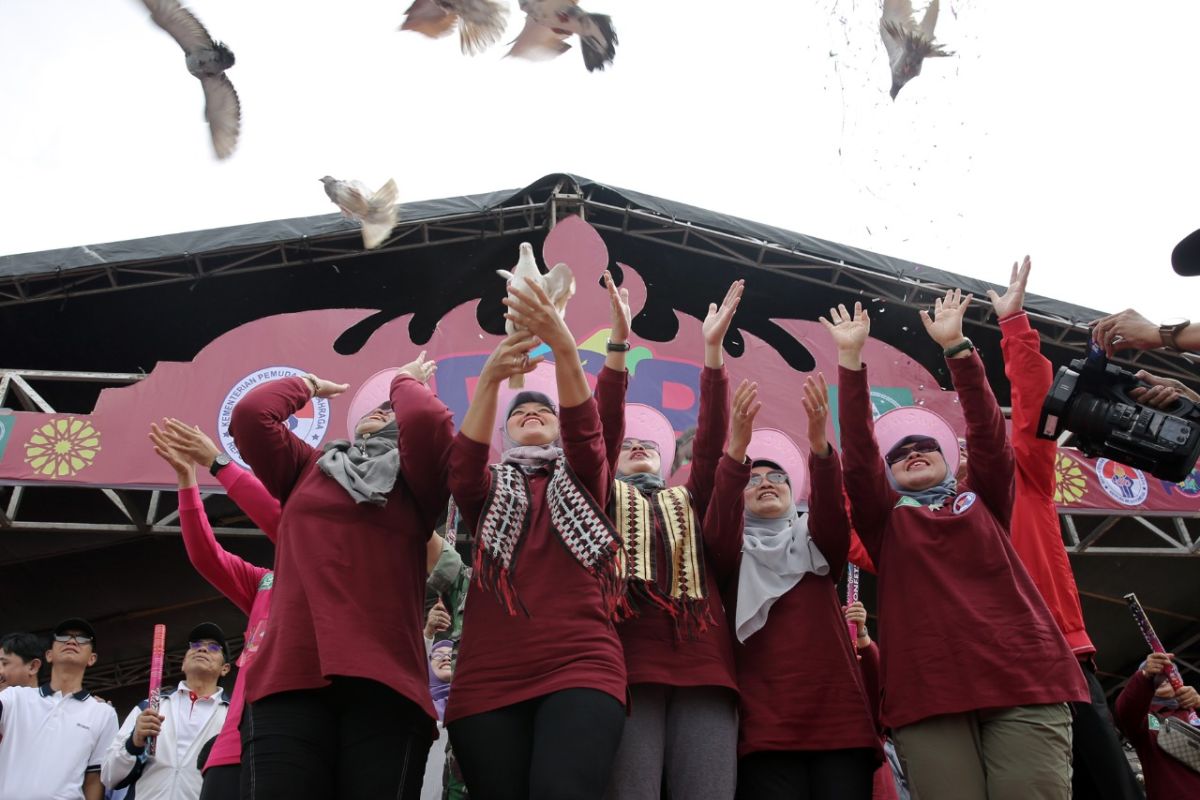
(166, 777)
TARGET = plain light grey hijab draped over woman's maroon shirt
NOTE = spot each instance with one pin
(777, 554)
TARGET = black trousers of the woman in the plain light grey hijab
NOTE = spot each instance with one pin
(808, 775)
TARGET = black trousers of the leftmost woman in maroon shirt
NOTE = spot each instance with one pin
(355, 739)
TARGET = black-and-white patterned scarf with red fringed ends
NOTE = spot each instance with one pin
(574, 516)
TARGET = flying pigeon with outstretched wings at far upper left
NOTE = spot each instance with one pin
(207, 61)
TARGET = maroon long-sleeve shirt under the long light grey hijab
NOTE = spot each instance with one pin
(799, 675)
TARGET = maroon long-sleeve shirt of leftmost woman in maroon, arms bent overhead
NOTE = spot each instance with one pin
(350, 578)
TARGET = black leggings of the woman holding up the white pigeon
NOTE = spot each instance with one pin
(559, 747)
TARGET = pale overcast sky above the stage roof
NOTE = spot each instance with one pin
(1066, 130)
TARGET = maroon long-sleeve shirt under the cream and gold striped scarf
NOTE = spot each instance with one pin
(655, 654)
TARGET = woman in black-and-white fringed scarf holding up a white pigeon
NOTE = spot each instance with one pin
(539, 689)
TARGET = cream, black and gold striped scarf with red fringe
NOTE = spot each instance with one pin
(663, 555)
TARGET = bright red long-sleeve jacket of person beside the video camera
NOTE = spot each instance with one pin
(1035, 527)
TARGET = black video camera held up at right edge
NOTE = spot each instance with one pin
(1091, 400)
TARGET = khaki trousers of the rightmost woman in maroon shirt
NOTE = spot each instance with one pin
(1015, 754)
